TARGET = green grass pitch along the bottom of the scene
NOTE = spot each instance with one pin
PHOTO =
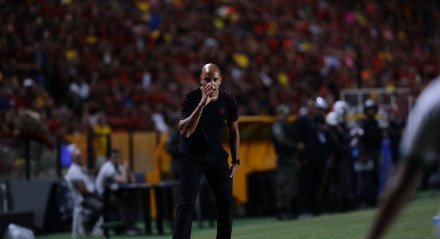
(415, 222)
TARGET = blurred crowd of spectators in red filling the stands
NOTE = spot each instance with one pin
(125, 64)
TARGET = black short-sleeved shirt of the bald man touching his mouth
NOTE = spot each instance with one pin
(205, 141)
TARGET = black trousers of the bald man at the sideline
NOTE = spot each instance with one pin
(217, 173)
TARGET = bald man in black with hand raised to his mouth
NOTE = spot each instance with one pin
(204, 111)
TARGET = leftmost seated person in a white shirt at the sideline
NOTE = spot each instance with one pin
(84, 192)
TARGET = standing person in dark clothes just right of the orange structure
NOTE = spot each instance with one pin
(285, 147)
